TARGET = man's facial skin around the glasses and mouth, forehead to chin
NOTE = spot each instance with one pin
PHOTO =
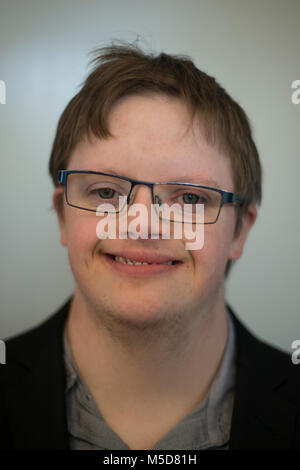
(150, 143)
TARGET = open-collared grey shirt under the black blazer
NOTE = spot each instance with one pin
(208, 426)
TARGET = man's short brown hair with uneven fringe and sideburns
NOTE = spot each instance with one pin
(124, 69)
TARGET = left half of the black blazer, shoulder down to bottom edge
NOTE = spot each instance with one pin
(32, 384)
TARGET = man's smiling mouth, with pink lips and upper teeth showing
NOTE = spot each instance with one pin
(141, 266)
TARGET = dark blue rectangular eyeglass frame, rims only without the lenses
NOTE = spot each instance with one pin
(226, 196)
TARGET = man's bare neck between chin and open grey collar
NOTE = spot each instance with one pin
(172, 369)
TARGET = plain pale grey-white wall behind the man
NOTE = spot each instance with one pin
(252, 48)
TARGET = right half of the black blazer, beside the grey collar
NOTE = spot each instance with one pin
(262, 417)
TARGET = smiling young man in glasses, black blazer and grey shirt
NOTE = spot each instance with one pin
(146, 354)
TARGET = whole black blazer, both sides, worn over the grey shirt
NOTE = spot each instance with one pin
(266, 412)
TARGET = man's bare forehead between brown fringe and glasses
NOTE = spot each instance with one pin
(152, 141)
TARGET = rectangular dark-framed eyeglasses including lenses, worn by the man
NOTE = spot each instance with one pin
(88, 189)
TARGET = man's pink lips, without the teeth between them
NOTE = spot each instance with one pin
(140, 270)
